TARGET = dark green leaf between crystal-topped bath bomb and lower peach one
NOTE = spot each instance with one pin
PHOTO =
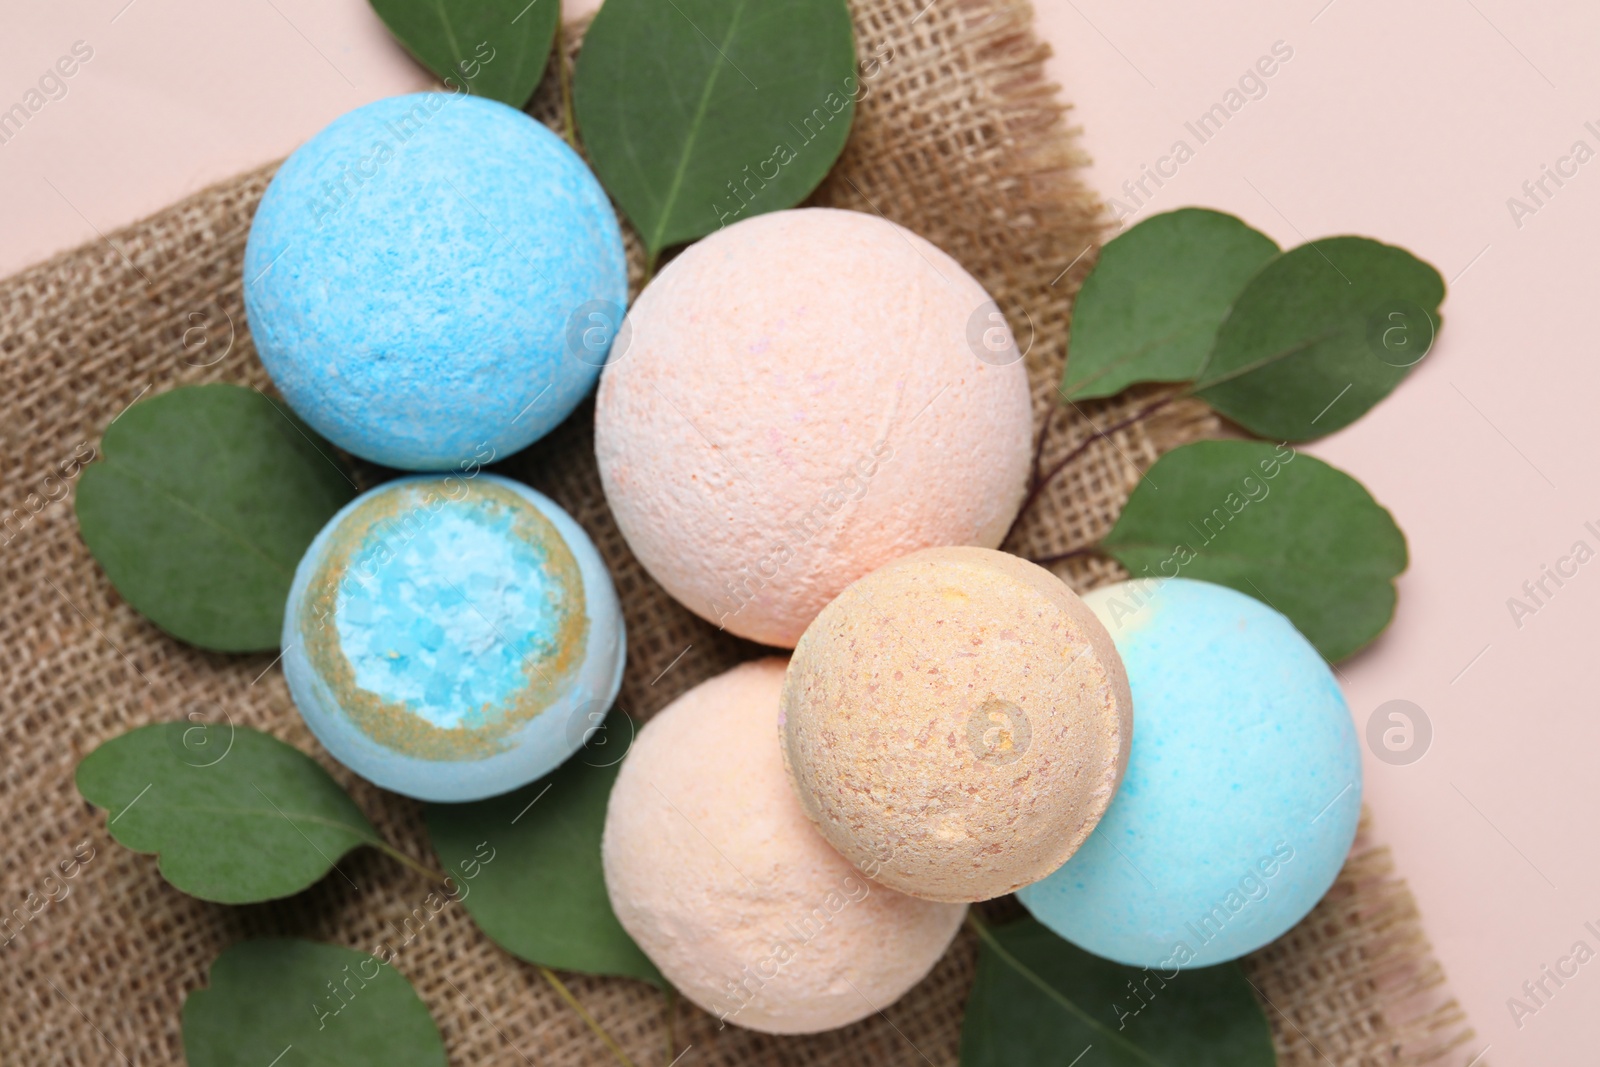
(529, 865)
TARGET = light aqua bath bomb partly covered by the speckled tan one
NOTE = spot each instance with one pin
(1242, 794)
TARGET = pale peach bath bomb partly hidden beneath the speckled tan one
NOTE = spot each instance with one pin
(724, 882)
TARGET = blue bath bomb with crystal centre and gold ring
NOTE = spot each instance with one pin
(452, 637)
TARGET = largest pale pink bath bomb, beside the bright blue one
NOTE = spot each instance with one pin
(807, 396)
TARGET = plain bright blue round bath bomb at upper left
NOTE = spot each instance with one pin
(434, 279)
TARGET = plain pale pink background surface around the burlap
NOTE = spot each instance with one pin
(1407, 122)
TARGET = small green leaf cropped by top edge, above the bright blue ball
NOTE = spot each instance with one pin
(495, 49)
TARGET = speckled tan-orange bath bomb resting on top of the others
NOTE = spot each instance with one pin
(958, 722)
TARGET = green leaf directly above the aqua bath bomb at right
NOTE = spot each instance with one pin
(1276, 526)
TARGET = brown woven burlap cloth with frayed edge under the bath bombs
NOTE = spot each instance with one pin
(959, 138)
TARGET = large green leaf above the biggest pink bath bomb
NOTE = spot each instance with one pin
(703, 113)
